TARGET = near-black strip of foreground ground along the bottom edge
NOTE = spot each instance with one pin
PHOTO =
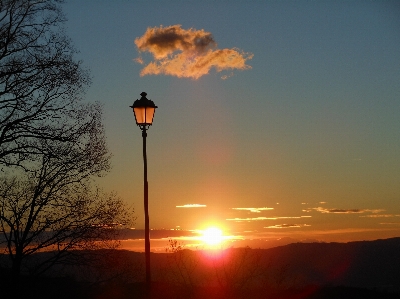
(69, 289)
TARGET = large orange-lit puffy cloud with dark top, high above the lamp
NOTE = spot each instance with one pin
(188, 53)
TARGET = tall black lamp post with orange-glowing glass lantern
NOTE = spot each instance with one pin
(143, 110)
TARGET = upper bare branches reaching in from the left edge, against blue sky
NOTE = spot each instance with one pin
(40, 82)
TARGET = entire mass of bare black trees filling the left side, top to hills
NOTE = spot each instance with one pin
(51, 143)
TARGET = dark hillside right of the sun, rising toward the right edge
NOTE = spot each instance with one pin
(365, 264)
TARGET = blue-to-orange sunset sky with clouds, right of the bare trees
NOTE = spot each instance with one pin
(275, 118)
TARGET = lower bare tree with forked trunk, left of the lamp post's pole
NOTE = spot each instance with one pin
(52, 206)
